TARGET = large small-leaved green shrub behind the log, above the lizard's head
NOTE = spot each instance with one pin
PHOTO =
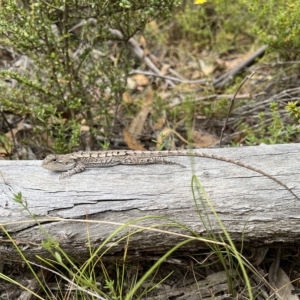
(73, 62)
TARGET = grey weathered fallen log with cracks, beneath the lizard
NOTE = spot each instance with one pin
(247, 203)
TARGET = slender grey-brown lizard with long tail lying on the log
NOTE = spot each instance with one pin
(77, 162)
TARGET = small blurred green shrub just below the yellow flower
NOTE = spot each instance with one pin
(217, 24)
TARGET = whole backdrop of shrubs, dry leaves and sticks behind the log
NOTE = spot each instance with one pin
(126, 74)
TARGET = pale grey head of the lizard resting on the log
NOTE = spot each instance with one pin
(58, 162)
